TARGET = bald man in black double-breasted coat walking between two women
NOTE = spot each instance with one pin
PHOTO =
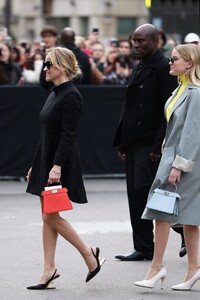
(140, 134)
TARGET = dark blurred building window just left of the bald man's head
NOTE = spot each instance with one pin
(125, 26)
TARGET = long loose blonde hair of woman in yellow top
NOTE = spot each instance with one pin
(191, 52)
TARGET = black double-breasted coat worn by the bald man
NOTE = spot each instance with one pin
(142, 119)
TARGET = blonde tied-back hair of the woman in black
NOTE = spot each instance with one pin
(65, 60)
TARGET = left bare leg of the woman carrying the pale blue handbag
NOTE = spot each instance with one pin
(162, 230)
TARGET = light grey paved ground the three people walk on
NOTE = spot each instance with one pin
(104, 222)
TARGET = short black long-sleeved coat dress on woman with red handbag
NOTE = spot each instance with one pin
(59, 120)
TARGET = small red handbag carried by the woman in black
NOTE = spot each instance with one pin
(55, 199)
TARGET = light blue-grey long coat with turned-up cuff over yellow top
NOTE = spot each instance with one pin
(182, 150)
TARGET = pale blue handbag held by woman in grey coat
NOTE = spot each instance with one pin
(164, 201)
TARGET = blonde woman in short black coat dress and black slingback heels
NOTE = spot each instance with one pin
(57, 160)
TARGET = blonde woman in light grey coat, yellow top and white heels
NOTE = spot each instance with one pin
(180, 165)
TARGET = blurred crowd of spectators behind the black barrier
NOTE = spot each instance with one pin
(21, 62)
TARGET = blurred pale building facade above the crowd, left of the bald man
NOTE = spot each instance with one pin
(114, 18)
